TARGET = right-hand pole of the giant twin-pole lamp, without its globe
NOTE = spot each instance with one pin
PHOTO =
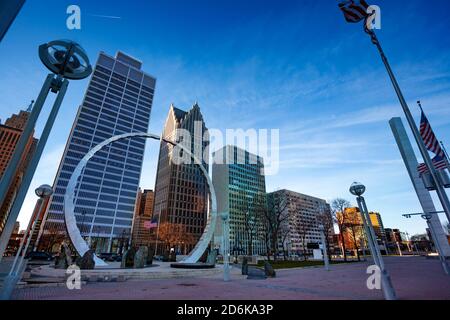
(23, 189)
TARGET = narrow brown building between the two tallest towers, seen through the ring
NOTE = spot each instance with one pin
(141, 234)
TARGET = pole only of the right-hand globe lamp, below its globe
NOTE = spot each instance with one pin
(388, 289)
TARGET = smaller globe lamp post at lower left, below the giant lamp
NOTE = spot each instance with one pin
(15, 274)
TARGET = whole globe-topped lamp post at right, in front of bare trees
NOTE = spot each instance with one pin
(358, 190)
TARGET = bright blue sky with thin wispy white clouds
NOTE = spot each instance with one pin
(296, 66)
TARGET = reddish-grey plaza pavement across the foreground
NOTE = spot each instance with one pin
(412, 277)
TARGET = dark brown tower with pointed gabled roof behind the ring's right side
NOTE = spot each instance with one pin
(181, 190)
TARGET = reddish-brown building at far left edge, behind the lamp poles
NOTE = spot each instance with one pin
(10, 134)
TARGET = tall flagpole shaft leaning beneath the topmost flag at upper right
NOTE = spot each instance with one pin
(423, 150)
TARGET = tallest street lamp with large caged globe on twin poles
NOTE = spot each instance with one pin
(66, 60)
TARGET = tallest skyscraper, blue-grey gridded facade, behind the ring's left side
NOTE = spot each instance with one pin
(118, 100)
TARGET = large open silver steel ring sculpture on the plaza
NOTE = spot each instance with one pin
(69, 208)
